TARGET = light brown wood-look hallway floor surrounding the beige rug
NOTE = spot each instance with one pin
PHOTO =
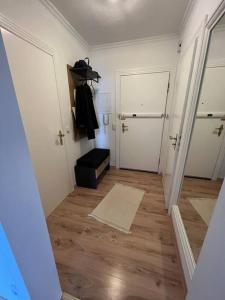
(97, 262)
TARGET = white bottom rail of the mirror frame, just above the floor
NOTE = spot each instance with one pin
(186, 255)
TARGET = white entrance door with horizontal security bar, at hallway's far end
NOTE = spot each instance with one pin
(143, 105)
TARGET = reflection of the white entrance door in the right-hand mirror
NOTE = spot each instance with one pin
(205, 133)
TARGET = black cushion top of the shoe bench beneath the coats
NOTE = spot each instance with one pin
(94, 158)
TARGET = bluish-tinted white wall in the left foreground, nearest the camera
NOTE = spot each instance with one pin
(21, 213)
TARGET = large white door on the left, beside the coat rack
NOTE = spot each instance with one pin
(35, 85)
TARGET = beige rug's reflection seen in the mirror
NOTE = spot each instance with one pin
(204, 206)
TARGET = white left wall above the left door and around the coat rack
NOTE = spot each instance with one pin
(37, 20)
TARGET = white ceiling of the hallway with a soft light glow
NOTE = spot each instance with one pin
(108, 21)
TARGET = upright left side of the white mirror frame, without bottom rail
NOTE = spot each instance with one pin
(193, 98)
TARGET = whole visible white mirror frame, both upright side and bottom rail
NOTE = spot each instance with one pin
(185, 251)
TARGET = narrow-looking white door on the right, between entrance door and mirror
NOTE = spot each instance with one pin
(177, 114)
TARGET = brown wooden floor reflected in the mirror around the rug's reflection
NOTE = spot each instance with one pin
(195, 227)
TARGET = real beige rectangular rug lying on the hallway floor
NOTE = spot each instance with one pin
(119, 207)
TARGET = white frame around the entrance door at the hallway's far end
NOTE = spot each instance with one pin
(127, 72)
